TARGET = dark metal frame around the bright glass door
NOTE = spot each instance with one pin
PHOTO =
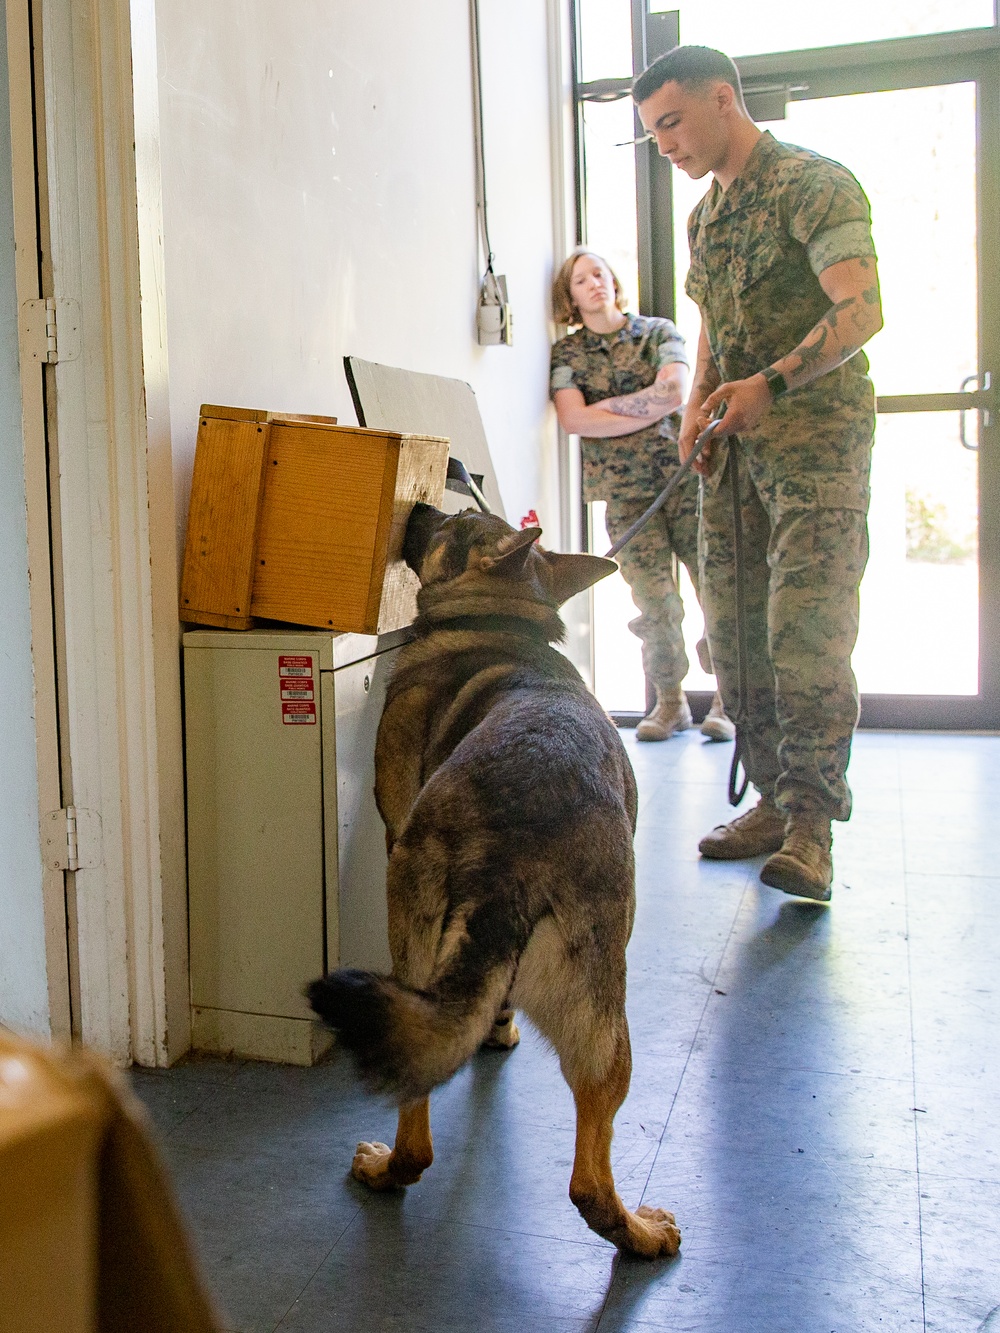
(829, 73)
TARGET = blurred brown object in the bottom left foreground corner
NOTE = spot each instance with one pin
(90, 1238)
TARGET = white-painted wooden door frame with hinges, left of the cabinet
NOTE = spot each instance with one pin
(115, 525)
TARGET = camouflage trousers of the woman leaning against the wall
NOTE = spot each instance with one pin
(647, 567)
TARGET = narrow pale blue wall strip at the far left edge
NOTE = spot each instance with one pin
(23, 975)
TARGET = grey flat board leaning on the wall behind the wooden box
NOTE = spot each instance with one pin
(391, 399)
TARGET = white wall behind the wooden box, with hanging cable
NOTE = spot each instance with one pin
(319, 202)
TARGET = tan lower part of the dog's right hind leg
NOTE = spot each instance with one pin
(649, 1232)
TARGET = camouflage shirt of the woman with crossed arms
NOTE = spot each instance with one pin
(606, 366)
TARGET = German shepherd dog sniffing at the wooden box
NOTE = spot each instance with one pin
(510, 808)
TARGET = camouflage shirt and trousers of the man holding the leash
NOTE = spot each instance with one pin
(755, 253)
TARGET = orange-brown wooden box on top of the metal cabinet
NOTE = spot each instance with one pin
(301, 521)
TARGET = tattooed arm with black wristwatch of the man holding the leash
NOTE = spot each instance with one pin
(854, 317)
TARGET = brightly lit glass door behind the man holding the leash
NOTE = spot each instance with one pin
(917, 122)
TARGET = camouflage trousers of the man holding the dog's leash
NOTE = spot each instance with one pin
(805, 551)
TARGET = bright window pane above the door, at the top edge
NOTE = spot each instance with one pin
(751, 30)
